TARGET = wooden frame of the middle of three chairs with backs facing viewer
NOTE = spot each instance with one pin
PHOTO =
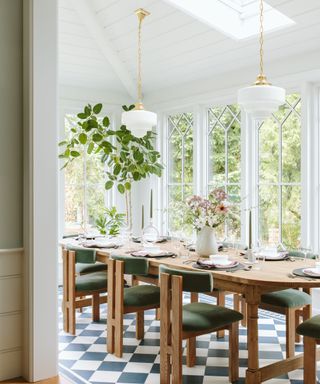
(116, 309)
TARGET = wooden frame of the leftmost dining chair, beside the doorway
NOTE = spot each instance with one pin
(72, 299)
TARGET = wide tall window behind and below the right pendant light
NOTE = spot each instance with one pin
(279, 175)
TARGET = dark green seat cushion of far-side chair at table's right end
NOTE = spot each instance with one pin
(288, 298)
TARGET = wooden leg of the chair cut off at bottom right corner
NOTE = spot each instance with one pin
(310, 360)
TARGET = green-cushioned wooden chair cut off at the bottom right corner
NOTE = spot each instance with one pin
(310, 330)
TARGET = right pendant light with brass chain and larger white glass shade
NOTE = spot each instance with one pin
(261, 99)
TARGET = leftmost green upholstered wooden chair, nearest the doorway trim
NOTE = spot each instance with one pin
(81, 290)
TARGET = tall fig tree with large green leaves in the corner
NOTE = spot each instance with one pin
(128, 158)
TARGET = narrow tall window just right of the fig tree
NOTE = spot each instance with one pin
(180, 168)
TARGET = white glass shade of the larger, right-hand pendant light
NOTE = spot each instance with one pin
(260, 101)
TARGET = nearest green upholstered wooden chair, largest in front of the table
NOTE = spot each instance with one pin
(179, 322)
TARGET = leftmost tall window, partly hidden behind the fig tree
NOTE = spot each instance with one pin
(85, 196)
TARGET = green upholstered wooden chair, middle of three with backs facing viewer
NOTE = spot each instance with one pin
(121, 300)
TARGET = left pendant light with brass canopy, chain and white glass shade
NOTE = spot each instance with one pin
(139, 121)
